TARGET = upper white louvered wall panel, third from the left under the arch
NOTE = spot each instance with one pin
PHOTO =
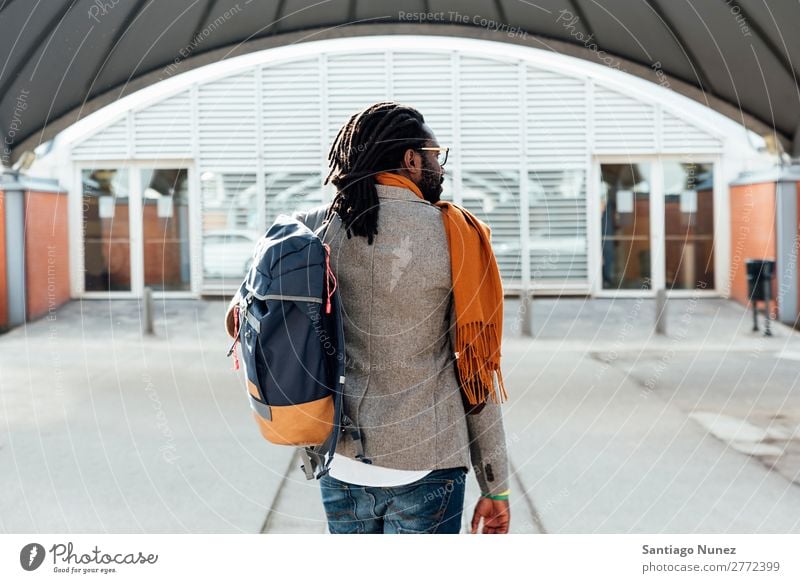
(227, 121)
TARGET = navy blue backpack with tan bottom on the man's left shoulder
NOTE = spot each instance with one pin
(287, 318)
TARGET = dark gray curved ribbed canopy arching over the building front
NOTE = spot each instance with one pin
(63, 59)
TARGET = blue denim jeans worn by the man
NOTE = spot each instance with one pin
(433, 504)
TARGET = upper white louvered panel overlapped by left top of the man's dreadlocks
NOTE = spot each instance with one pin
(354, 82)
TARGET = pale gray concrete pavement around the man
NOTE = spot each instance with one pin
(610, 428)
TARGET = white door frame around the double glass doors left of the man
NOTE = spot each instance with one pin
(135, 227)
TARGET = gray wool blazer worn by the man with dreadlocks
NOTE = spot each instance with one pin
(402, 388)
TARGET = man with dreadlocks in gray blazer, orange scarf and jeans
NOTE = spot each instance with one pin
(423, 310)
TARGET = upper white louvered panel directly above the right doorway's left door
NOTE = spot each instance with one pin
(622, 125)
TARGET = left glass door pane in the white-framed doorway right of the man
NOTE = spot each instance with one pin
(625, 233)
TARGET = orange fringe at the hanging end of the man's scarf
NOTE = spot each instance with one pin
(477, 367)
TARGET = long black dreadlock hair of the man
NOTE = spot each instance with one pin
(372, 141)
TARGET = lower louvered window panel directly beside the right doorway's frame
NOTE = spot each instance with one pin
(557, 220)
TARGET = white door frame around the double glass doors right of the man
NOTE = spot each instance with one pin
(657, 227)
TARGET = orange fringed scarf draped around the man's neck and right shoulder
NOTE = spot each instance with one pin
(478, 297)
